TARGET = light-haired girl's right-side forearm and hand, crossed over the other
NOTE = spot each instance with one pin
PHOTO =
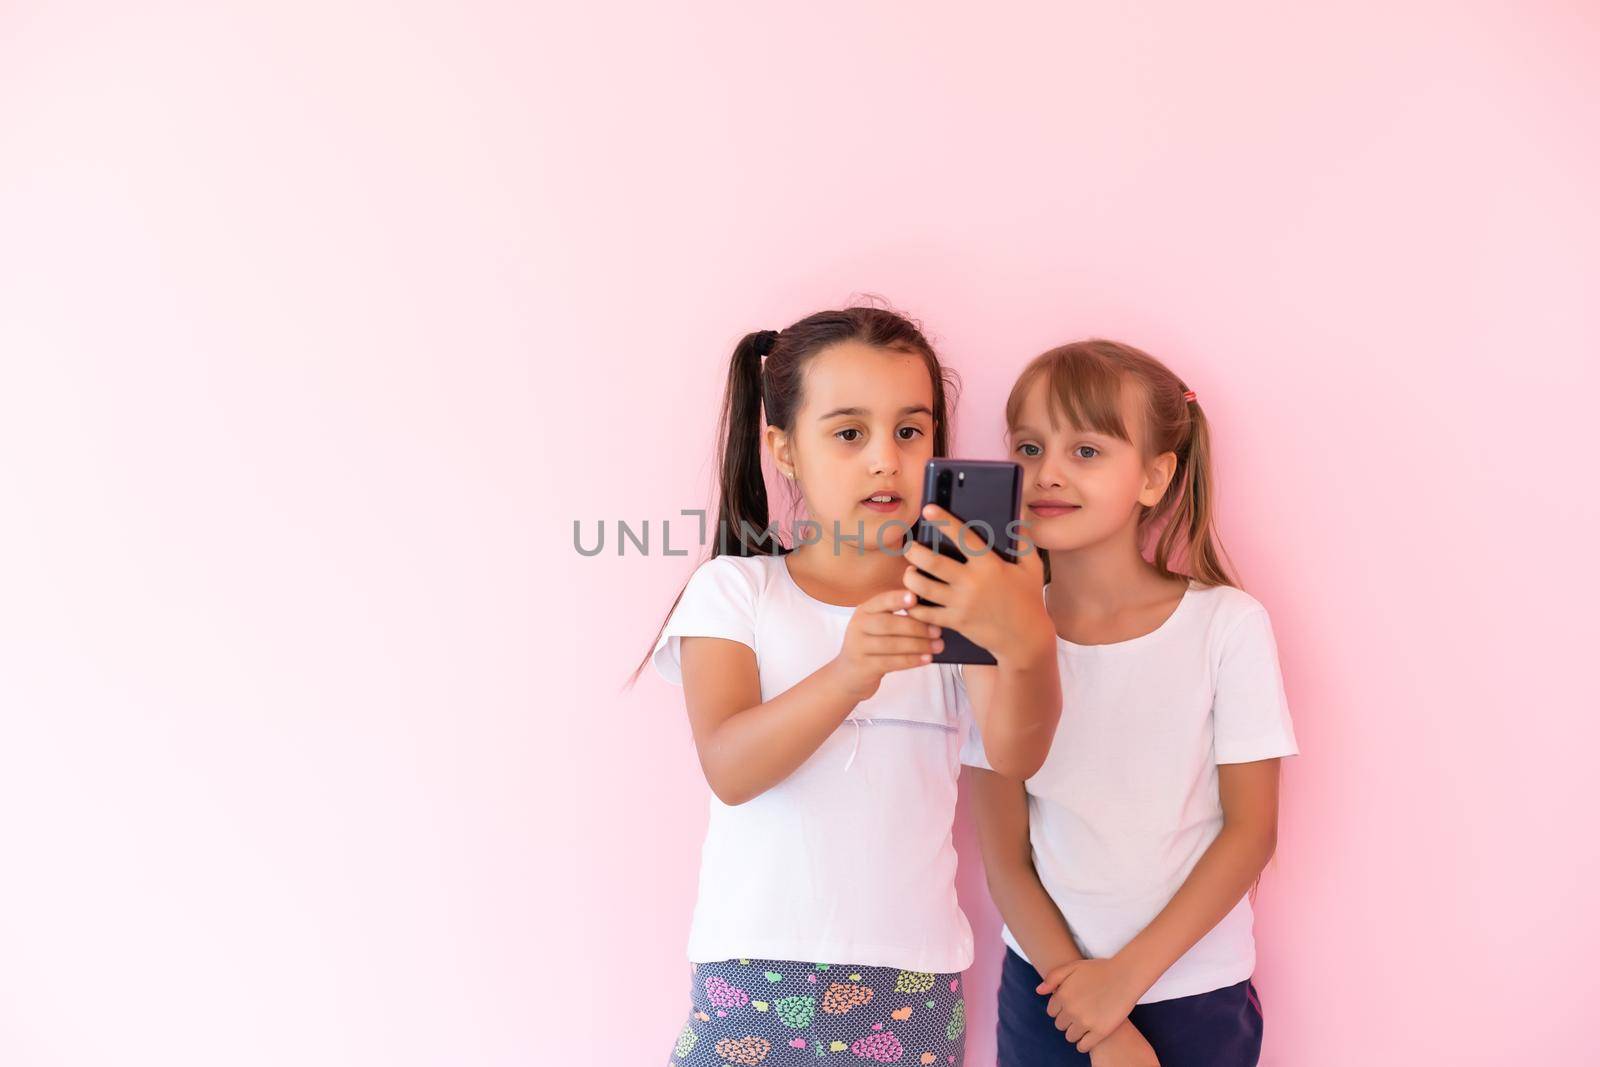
(1097, 996)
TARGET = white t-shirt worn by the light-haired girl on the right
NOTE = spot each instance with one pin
(1127, 801)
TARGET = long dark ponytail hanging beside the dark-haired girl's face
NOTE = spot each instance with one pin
(742, 489)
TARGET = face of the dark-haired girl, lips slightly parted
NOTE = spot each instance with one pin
(860, 442)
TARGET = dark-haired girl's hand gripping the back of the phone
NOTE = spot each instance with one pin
(999, 605)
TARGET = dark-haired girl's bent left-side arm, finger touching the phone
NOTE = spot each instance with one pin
(748, 746)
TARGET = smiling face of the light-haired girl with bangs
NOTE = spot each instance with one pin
(1082, 487)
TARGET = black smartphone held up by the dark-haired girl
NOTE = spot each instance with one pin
(985, 494)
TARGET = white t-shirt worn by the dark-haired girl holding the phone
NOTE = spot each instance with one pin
(850, 860)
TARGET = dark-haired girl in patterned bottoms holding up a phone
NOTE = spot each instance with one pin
(826, 922)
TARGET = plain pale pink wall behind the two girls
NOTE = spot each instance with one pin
(321, 326)
